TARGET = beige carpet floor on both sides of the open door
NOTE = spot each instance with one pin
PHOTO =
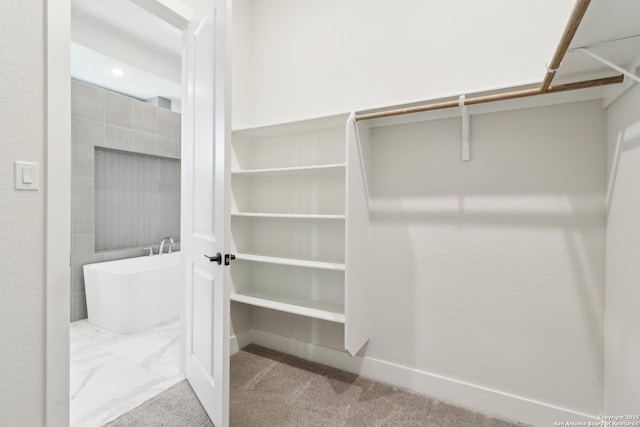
(272, 389)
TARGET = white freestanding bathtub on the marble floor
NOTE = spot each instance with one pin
(134, 294)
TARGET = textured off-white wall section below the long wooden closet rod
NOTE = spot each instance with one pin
(492, 271)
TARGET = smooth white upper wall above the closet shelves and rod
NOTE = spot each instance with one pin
(319, 57)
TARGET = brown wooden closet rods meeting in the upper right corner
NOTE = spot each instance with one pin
(545, 87)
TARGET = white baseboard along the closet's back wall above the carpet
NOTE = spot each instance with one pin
(482, 399)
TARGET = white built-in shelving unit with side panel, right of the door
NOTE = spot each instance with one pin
(292, 189)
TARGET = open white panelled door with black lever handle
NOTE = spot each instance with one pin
(205, 209)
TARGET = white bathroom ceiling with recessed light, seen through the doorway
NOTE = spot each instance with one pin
(108, 34)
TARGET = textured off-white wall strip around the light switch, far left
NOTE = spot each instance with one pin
(22, 328)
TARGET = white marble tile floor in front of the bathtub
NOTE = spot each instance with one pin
(111, 374)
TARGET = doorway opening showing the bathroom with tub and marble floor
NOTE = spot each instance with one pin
(125, 205)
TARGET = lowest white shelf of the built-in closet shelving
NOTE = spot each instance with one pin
(303, 307)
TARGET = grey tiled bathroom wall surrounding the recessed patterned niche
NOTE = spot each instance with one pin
(100, 118)
